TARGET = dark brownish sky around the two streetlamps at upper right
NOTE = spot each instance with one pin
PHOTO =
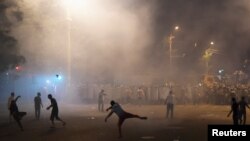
(226, 22)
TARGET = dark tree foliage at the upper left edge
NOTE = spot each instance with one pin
(9, 50)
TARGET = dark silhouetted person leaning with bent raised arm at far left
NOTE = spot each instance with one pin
(15, 112)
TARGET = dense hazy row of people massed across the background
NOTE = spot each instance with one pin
(218, 93)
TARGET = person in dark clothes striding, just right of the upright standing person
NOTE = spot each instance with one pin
(54, 112)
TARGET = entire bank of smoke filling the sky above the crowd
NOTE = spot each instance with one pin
(126, 40)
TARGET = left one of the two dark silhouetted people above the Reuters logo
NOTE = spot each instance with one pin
(235, 111)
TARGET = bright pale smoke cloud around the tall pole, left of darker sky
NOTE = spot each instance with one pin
(109, 39)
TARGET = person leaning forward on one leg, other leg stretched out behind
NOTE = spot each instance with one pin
(122, 115)
